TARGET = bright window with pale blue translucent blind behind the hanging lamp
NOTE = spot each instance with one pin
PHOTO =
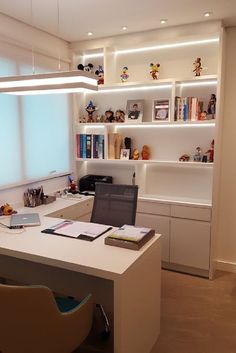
(34, 132)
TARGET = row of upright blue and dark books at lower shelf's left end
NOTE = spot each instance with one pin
(90, 146)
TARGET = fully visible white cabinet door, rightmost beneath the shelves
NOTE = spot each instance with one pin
(190, 243)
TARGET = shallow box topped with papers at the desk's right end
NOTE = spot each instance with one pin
(130, 237)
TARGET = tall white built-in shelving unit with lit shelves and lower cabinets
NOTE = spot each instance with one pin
(162, 179)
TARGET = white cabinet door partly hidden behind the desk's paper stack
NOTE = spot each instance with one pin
(161, 226)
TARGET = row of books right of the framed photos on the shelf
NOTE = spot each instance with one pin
(188, 109)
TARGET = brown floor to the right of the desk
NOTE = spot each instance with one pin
(198, 315)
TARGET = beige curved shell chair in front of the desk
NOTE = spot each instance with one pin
(32, 323)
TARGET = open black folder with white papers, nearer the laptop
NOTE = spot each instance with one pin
(80, 230)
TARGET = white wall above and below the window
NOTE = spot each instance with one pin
(15, 36)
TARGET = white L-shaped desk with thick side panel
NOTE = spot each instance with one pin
(126, 282)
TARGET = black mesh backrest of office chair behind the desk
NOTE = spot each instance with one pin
(114, 204)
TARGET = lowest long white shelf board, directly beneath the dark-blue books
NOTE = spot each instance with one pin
(150, 162)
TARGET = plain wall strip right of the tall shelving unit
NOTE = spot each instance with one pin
(226, 247)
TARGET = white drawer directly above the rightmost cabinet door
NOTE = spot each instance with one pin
(189, 212)
